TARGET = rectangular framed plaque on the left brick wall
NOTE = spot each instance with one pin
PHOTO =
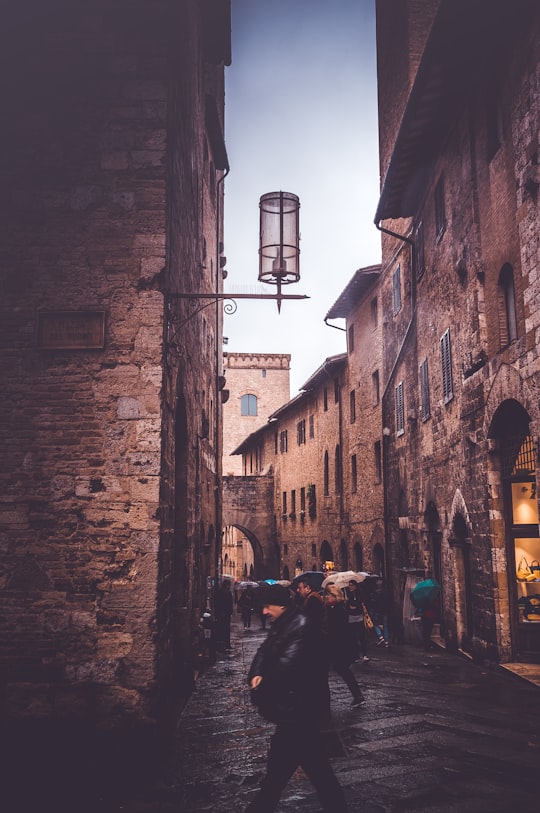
(71, 330)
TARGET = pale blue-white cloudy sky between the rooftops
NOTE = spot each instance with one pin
(301, 116)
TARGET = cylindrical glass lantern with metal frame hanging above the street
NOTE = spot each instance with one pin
(279, 246)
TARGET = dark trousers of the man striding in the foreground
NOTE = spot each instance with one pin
(293, 745)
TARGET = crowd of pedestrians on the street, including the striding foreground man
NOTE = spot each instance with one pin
(314, 629)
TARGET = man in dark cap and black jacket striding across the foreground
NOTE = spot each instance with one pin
(289, 685)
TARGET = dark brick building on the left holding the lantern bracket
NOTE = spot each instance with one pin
(113, 165)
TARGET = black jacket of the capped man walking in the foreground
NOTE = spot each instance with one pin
(293, 665)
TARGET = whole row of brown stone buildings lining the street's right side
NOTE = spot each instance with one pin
(449, 375)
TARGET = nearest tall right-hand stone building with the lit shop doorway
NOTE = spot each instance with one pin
(459, 293)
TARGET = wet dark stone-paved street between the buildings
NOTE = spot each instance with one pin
(437, 734)
